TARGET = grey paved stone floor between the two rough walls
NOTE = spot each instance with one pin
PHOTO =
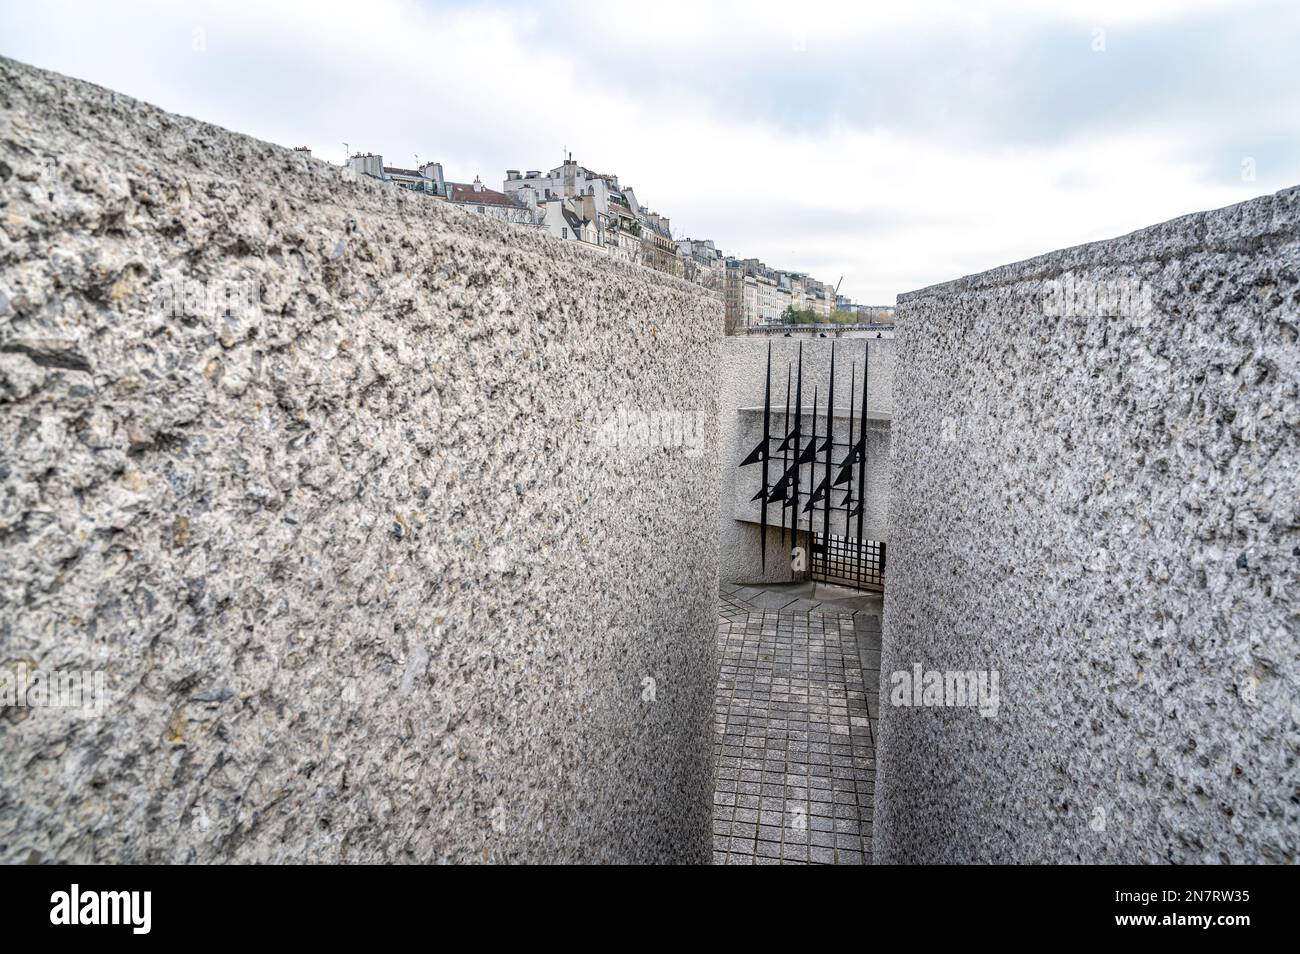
(798, 695)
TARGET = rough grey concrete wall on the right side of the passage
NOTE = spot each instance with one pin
(1098, 493)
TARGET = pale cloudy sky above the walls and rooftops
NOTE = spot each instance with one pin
(895, 145)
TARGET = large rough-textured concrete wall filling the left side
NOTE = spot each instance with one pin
(366, 579)
